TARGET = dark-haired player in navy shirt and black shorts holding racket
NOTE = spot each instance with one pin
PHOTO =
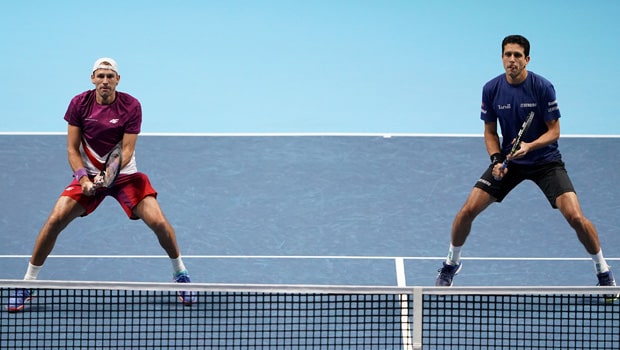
(508, 99)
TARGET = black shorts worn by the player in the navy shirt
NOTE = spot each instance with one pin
(551, 178)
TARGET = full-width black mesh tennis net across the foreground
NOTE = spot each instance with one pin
(106, 315)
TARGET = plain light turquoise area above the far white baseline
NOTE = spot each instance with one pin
(337, 66)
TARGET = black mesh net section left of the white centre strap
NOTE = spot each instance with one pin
(149, 316)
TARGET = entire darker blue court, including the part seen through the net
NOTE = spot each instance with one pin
(361, 211)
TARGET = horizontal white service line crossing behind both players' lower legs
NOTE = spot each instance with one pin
(343, 257)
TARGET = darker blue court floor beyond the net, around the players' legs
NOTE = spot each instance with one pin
(328, 210)
